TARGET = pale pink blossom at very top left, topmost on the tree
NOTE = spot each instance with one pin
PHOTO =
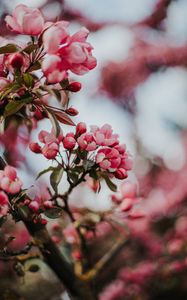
(25, 20)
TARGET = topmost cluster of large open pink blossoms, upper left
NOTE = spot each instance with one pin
(64, 52)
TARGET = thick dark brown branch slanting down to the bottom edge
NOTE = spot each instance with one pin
(76, 288)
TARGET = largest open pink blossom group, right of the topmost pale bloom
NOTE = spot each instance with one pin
(66, 52)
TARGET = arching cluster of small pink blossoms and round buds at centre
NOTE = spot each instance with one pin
(109, 155)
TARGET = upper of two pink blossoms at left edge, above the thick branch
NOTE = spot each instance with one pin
(9, 182)
